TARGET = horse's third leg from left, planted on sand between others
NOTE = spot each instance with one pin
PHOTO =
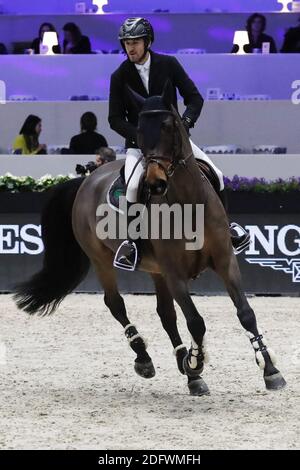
(193, 362)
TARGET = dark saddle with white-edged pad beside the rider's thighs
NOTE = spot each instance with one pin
(118, 186)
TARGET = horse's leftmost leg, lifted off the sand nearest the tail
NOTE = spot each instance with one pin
(112, 298)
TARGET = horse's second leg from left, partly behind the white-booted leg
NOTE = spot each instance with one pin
(166, 312)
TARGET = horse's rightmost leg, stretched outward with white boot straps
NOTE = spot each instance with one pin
(265, 358)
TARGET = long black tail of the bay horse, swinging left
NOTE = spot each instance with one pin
(64, 264)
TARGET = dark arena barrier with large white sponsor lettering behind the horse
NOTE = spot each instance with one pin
(271, 265)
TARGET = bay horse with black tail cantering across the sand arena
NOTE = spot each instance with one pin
(71, 241)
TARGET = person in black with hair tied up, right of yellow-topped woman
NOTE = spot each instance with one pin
(88, 141)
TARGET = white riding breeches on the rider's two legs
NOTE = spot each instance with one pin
(132, 155)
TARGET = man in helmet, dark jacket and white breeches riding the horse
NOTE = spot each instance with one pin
(146, 73)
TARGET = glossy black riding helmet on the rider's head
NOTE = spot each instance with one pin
(134, 28)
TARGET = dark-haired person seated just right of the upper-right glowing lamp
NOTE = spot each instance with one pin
(256, 25)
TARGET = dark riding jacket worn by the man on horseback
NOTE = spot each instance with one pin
(123, 114)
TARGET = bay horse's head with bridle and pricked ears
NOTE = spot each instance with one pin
(162, 139)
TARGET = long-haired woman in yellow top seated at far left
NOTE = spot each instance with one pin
(27, 142)
